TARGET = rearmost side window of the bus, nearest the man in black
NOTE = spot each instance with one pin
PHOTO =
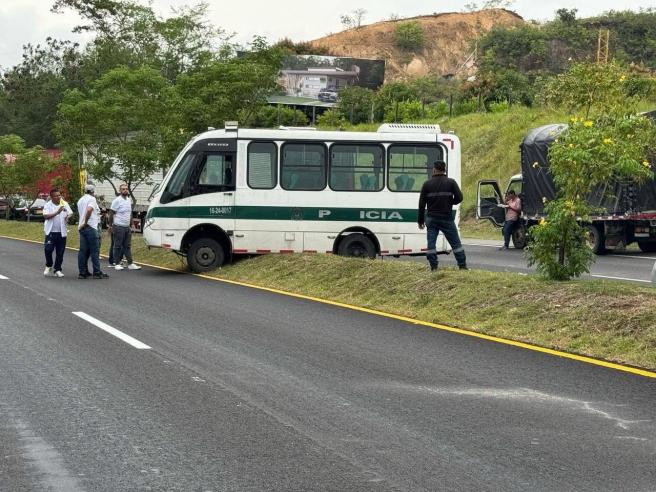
(410, 166)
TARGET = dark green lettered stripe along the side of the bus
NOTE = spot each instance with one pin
(287, 213)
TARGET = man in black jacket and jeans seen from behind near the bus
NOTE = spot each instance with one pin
(439, 194)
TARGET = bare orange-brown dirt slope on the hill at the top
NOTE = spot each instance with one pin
(448, 42)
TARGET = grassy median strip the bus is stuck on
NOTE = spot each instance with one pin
(610, 320)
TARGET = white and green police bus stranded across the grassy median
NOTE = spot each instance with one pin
(293, 190)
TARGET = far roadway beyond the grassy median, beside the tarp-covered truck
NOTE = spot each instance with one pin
(634, 266)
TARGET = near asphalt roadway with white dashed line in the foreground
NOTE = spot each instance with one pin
(242, 389)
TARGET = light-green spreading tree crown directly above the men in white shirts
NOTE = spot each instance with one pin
(122, 123)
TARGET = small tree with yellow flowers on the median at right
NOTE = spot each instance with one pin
(611, 143)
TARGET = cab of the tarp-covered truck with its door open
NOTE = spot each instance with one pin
(489, 205)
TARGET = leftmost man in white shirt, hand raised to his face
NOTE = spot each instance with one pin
(56, 213)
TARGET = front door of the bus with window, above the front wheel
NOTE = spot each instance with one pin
(212, 189)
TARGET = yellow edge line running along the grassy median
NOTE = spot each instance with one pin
(437, 326)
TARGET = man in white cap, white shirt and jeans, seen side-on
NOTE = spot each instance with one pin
(89, 212)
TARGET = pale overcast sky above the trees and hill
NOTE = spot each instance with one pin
(30, 21)
